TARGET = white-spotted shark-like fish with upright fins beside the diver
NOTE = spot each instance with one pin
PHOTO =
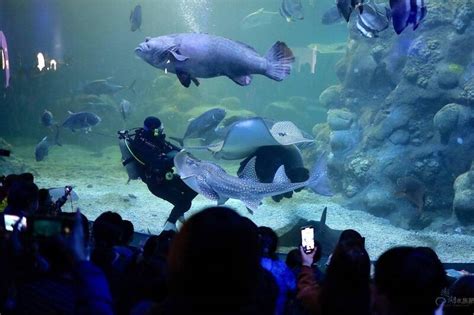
(213, 182)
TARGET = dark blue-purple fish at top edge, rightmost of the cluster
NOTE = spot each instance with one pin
(405, 12)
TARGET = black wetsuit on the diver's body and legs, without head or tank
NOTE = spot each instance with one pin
(157, 154)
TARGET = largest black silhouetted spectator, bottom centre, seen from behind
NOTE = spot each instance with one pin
(215, 267)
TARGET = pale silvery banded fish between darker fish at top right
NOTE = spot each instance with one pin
(373, 18)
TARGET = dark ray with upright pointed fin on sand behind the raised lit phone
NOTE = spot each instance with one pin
(326, 236)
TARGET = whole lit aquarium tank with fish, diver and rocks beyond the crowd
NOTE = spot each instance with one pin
(367, 105)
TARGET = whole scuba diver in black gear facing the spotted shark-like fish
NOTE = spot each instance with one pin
(148, 156)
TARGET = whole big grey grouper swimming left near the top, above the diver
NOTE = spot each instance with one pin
(195, 55)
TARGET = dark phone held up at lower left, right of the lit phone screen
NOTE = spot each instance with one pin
(42, 227)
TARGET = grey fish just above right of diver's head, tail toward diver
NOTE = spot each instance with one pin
(201, 125)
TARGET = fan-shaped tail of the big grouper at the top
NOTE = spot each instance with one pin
(279, 59)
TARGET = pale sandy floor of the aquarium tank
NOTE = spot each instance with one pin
(101, 183)
